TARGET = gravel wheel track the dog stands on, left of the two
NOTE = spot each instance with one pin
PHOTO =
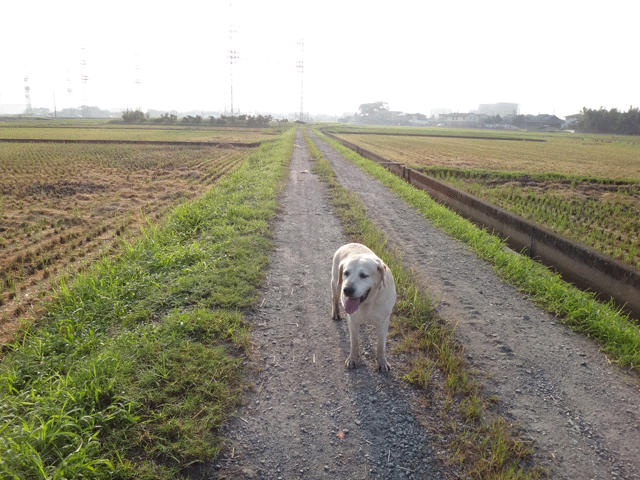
(307, 416)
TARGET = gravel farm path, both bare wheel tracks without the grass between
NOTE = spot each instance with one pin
(582, 412)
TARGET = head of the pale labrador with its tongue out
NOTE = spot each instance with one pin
(359, 275)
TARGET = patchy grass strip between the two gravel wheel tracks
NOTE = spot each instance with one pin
(485, 446)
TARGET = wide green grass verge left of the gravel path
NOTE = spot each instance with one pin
(138, 363)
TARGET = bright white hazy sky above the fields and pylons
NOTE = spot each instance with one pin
(549, 56)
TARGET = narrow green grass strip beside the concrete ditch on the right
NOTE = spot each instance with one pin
(616, 334)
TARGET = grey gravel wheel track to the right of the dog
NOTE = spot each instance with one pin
(582, 412)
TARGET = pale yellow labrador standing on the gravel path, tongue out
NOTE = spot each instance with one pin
(365, 286)
